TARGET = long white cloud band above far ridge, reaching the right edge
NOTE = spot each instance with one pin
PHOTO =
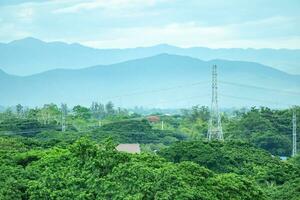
(190, 34)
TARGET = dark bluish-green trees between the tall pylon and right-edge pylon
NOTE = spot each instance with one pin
(265, 128)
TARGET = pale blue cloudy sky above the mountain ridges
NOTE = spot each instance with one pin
(133, 23)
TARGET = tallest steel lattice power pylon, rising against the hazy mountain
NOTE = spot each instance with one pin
(215, 131)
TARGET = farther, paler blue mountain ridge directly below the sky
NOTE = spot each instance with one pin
(29, 56)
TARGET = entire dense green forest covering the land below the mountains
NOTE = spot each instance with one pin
(40, 161)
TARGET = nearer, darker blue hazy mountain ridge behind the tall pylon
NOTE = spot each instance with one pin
(166, 81)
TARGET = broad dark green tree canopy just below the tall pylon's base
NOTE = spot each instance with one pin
(228, 157)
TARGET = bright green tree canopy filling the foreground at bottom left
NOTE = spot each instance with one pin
(89, 170)
